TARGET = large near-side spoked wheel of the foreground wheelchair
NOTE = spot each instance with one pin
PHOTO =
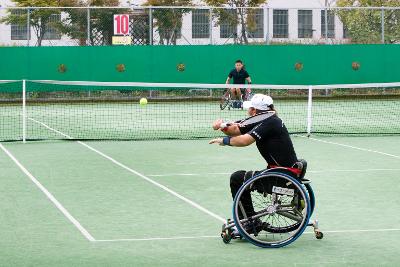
(268, 181)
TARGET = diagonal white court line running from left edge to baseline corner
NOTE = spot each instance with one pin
(56, 203)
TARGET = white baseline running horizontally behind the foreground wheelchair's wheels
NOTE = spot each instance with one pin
(216, 236)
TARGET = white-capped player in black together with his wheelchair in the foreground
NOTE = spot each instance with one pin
(272, 139)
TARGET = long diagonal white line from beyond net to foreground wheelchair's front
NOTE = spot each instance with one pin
(190, 202)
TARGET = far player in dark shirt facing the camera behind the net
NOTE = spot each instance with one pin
(240, 76)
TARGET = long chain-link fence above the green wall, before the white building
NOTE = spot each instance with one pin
(82, 26)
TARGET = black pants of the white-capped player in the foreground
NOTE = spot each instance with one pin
(236, 181)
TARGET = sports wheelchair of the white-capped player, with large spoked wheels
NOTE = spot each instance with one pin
(283, 203)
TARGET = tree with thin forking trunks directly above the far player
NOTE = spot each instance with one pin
(235, 15)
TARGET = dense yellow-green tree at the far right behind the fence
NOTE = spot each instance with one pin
(364, 25)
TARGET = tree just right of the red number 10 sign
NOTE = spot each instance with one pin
(168, 21)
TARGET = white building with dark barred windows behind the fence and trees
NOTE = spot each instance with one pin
(301, 21)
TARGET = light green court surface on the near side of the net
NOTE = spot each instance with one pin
(159, 203)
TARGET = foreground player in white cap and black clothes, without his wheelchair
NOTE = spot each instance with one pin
(271, 137)
